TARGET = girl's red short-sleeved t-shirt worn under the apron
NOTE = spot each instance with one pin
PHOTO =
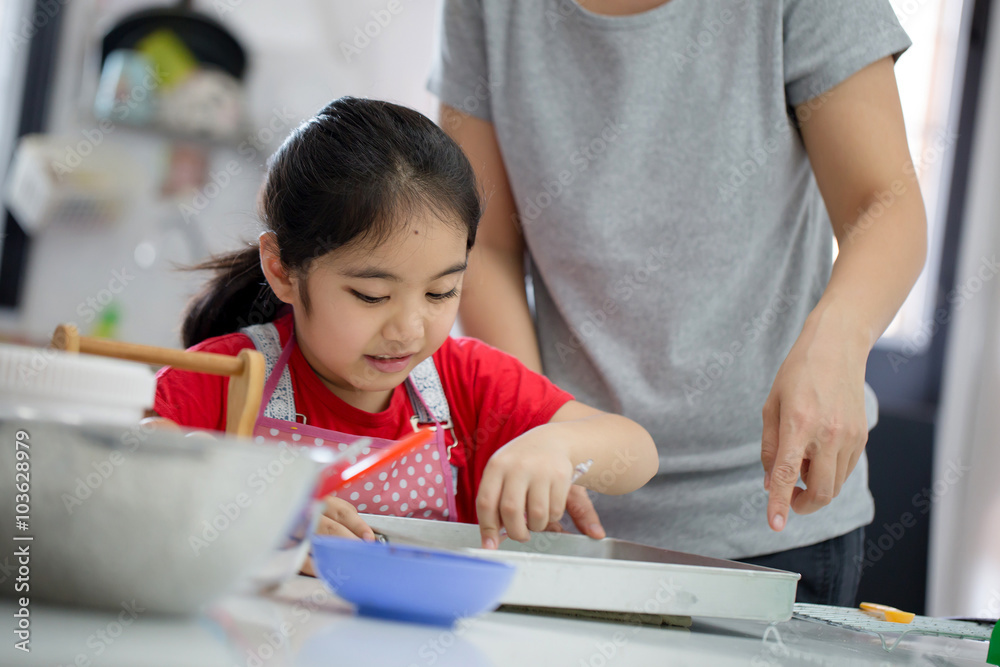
(492, 396)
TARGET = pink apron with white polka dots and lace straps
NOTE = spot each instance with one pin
(420, 484)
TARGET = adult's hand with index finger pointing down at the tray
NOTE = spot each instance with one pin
(814, 420)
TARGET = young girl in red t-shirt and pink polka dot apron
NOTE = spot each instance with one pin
(370, 212)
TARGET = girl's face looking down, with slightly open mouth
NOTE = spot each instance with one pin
(375, 313)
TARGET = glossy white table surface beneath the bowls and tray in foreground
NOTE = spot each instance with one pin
(302, 624)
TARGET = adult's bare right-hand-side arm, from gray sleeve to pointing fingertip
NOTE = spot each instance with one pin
(814, 417)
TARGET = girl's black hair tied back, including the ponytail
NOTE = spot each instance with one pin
(353, 172)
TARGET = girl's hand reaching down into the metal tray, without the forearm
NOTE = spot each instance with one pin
(530, 474)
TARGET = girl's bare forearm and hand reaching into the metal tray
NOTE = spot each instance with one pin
(531, 474)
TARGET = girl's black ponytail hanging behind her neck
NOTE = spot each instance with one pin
(237, 296)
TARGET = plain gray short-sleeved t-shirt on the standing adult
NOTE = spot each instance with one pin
(677, 236)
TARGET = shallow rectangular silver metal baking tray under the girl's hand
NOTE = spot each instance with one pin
(564, 571)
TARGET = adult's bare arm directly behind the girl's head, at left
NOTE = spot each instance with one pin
(494, 306)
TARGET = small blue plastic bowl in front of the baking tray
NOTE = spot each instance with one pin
(404, 583)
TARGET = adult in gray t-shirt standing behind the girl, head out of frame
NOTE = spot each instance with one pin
(674, 171)
